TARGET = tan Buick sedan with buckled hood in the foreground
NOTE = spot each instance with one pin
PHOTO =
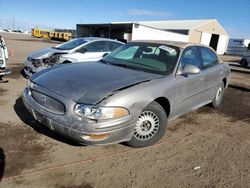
(129, 95)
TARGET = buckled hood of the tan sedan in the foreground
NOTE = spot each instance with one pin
(91, 82)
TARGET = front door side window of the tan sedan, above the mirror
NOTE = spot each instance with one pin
(191, 56)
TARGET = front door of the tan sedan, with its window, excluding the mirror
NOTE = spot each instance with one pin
(189, 88)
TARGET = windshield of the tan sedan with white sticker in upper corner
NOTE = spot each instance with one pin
(148, 57)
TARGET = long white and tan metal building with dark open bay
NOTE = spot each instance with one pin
(208, 32)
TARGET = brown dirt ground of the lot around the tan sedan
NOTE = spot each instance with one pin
(205, 148)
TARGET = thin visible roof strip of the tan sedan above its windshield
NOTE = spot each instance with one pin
(173, 43)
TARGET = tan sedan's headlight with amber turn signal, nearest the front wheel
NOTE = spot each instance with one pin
(95, 112)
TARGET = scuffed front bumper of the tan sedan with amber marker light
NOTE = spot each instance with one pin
(84, 131)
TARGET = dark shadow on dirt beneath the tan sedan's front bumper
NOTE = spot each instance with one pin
(29, 120)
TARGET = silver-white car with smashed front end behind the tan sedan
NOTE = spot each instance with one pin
(77, 50)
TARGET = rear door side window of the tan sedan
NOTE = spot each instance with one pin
(209, 58)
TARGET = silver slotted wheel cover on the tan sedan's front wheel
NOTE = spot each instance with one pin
(146, 126)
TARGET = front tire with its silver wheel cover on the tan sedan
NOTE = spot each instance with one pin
(150, 126)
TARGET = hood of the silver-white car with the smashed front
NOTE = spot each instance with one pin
(46, 52)
